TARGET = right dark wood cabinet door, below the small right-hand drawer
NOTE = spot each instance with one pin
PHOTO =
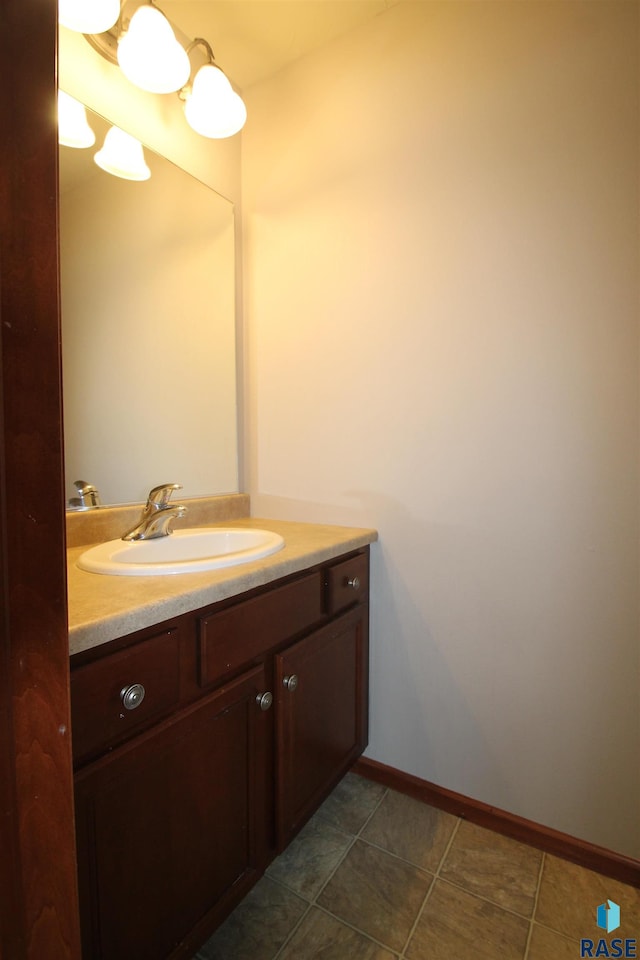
(321, 685)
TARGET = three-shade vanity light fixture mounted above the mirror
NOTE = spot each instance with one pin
(142, 41)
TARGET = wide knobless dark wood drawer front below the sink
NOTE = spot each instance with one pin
(237, 635)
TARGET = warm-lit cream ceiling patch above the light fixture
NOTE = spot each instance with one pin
(253, 39)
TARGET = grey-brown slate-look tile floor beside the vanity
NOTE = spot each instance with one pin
(376, 875)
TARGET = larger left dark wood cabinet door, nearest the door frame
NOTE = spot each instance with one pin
(172, 826)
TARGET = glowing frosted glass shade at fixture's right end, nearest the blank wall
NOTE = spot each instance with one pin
(213, 108)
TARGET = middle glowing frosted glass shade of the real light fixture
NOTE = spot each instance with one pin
(149, 54)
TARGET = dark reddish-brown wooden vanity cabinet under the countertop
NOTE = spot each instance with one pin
(252, 710)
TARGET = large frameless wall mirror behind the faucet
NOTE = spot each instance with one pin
(148, 329)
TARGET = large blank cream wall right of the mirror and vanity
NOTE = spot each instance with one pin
(441, 299)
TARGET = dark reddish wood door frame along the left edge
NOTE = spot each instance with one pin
(38, 886)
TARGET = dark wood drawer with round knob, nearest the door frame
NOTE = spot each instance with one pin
(98, 710)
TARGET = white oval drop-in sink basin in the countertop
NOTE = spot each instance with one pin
(183, 551)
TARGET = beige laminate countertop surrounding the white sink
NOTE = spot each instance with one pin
(102, 607)
